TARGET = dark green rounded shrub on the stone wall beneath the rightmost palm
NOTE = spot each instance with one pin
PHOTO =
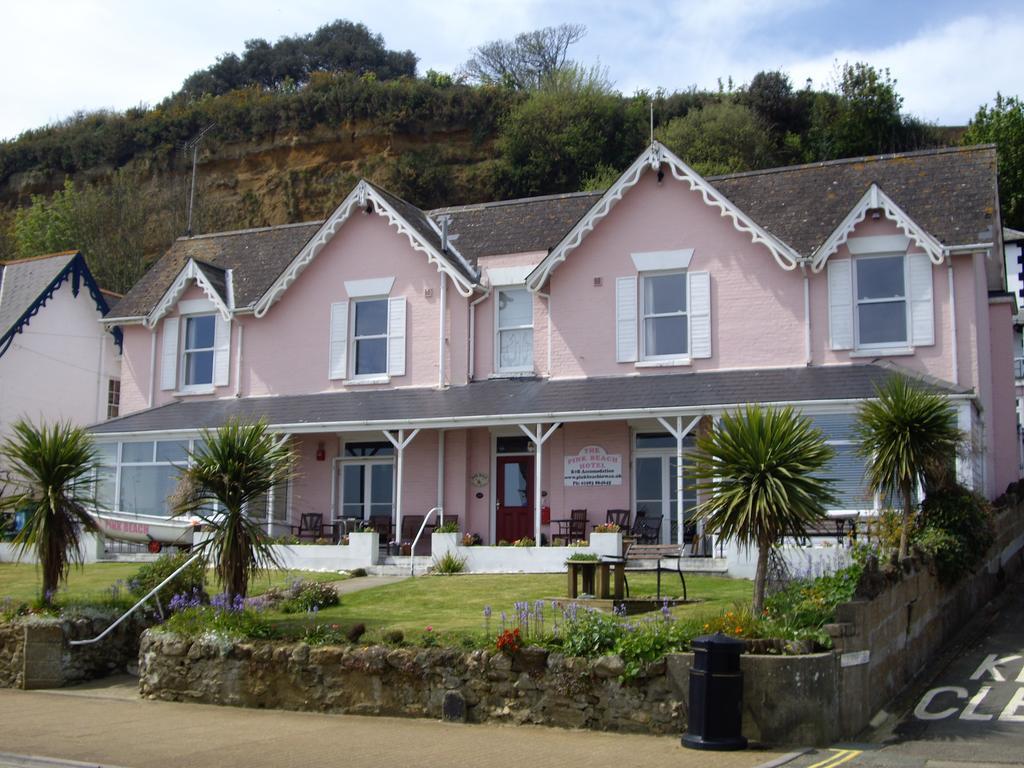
(955, 531)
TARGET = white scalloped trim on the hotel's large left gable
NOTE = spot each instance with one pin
(359, 200)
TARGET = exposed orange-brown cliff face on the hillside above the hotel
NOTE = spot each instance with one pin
(296, 178)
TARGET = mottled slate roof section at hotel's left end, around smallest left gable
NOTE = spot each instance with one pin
(257, 259)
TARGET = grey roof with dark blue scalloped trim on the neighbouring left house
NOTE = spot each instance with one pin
(27, 285)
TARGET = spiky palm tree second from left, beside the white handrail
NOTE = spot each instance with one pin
(232, 468)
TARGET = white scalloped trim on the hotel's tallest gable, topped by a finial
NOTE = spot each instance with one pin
(653, 159)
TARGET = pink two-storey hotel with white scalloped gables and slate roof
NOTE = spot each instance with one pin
(515, 361)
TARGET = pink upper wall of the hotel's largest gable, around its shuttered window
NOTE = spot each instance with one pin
(757, 308)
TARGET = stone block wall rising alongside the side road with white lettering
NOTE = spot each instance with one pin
(883, 644)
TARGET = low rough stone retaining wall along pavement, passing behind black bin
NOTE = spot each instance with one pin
(788, 700)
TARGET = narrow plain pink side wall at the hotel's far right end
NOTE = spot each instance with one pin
(1006, 449)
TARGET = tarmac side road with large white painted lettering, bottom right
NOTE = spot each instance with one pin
(969, 711)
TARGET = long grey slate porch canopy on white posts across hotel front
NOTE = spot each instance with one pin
(535, 406)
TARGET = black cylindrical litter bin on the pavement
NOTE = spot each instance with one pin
(716, 695)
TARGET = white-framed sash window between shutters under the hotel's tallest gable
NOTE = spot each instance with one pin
(665, 328)
